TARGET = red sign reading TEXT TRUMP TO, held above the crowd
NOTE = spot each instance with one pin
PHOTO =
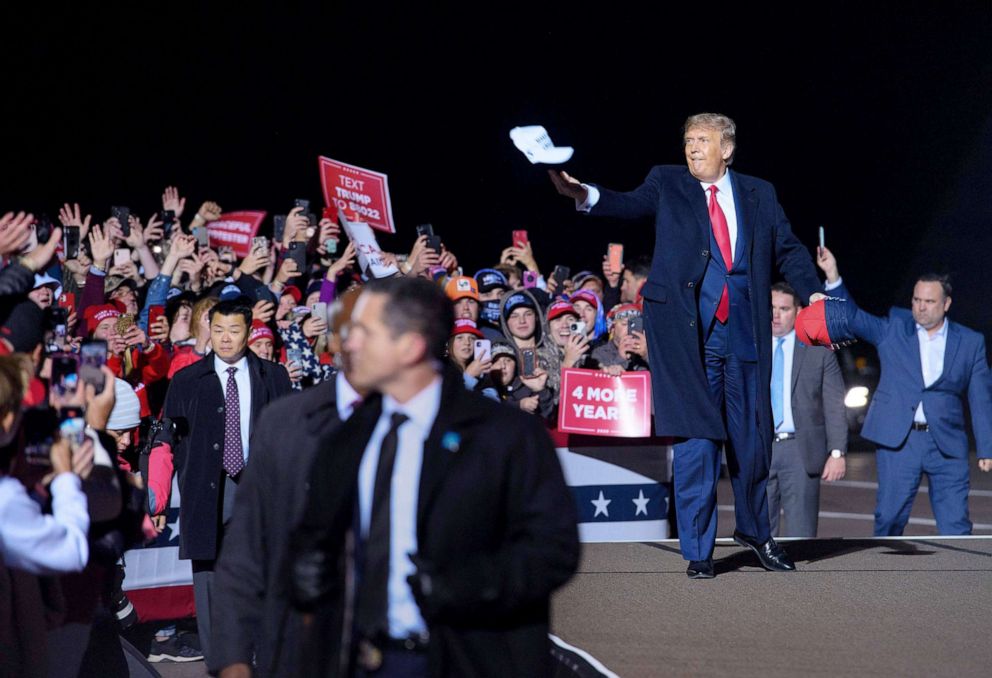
(362, 191)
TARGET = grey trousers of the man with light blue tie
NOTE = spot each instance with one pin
(793, 490)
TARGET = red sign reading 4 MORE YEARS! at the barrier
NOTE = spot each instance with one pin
(594, 403)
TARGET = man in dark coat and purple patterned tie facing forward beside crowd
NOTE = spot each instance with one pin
(216, 401)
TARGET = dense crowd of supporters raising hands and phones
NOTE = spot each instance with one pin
(97, 316)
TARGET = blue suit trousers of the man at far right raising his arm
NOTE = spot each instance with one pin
(899, 473)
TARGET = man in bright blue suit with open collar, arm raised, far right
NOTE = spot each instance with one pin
(916, 417)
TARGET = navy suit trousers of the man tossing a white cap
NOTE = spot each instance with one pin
(734, 387)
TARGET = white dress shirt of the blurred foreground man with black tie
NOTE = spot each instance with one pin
(403, 614)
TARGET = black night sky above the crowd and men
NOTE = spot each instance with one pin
(872, 120)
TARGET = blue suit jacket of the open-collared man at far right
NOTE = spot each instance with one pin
(901, 387)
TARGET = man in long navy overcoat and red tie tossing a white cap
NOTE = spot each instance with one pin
(717, 236)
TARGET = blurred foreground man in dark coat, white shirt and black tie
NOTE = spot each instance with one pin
(438, 529)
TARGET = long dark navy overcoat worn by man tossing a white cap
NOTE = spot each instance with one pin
(679, 310)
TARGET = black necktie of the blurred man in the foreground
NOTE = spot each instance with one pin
(373, 590)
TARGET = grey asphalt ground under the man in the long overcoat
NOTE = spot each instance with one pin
(856, 606)
